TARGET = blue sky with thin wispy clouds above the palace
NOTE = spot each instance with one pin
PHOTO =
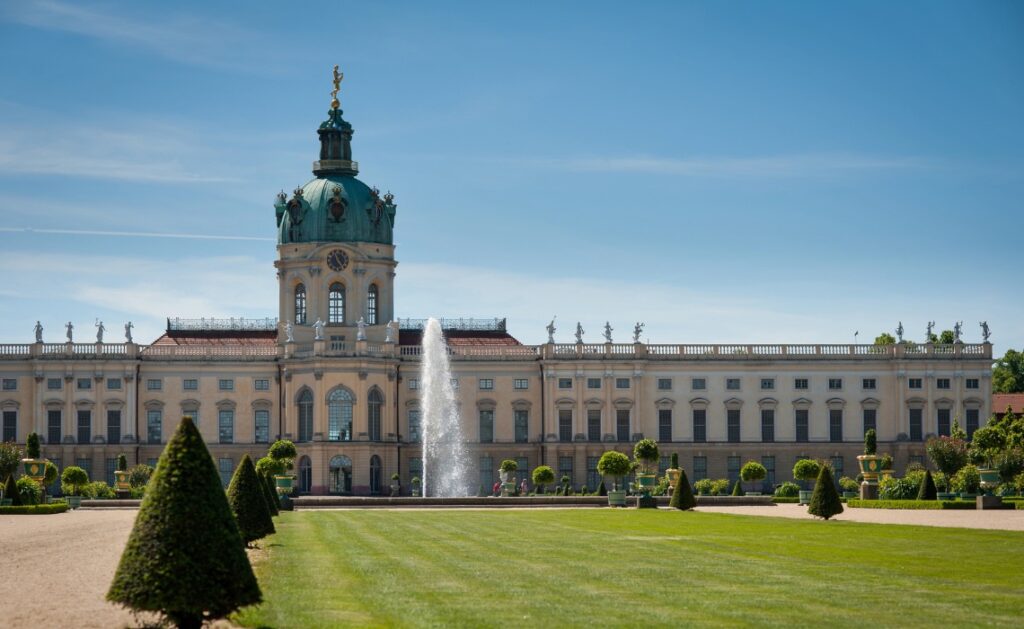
(726, 173)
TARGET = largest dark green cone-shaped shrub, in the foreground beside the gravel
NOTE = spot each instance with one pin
(185, 558)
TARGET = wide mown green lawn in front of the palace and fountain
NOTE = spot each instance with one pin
(604, 567)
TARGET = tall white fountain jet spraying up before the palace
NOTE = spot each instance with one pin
(444, 448)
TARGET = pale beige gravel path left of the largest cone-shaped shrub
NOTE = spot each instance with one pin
(58, 569)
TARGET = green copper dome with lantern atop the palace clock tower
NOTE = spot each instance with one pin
(335, 207)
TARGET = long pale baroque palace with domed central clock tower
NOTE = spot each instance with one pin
(338, 374)
